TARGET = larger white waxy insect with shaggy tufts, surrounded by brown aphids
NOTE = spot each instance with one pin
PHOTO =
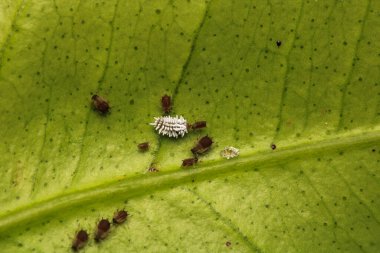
(170, 126)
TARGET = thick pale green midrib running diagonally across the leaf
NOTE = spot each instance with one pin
(148, 183)
